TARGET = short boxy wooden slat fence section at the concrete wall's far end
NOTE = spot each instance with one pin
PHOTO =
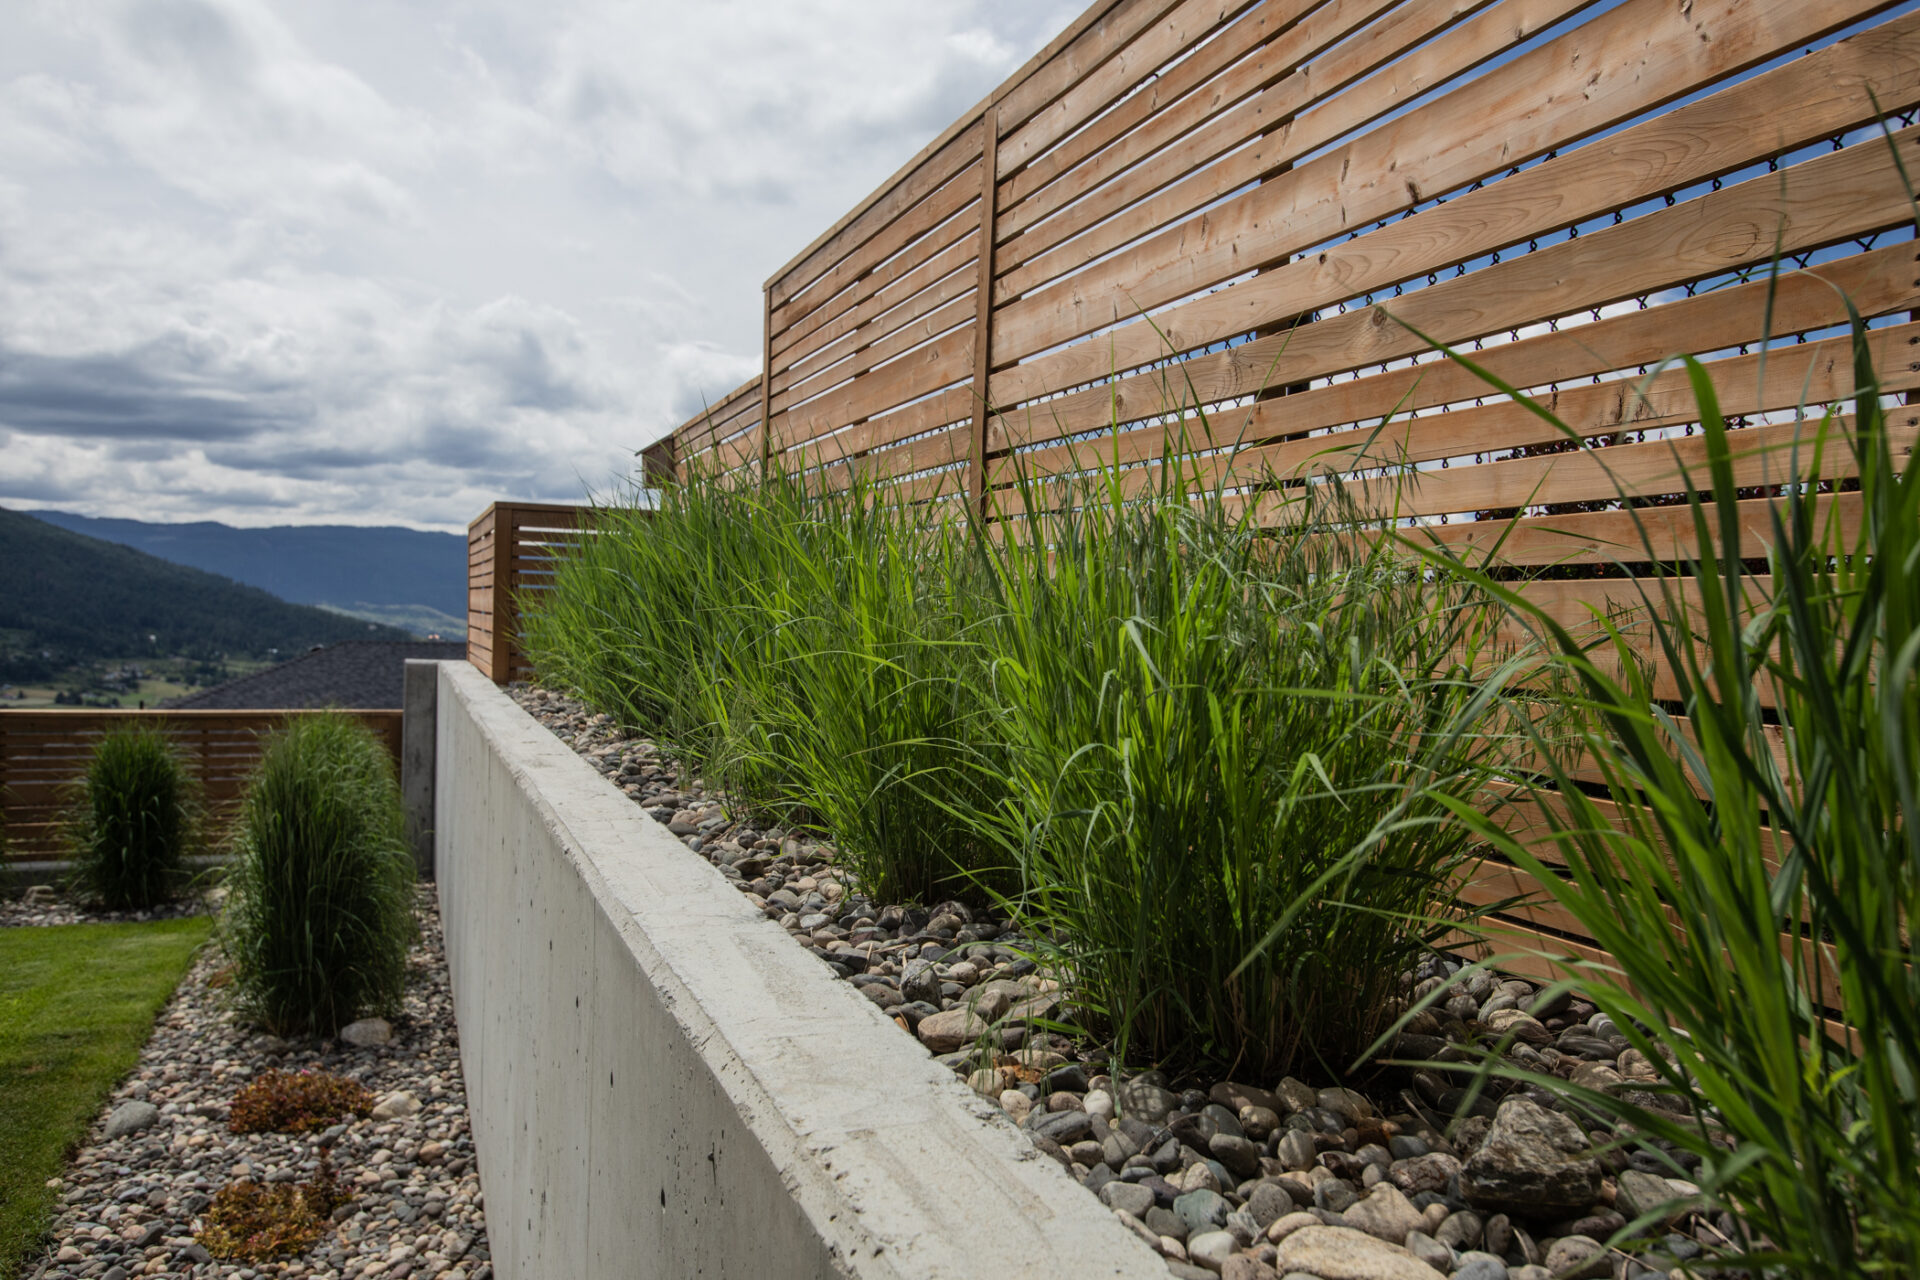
(510, 556)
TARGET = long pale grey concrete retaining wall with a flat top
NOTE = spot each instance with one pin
(665, 1085)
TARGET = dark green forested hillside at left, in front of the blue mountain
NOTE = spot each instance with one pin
(70, 600)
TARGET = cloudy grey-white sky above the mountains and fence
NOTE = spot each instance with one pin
(381, 262)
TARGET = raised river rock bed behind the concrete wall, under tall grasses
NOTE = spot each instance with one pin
(1222, 1177)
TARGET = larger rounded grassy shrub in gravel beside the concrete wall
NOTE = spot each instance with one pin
(322, 884)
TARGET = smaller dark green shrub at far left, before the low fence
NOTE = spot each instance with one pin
(135, 822)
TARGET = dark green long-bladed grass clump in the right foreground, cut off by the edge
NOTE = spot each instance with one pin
(1754, 870)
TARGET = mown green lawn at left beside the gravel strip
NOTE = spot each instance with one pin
(76, 1007)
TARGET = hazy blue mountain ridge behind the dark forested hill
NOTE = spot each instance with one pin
(387, 575)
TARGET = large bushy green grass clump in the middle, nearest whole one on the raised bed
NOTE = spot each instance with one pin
(1203, 707)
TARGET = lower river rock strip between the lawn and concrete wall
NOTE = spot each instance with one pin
(133, 1198)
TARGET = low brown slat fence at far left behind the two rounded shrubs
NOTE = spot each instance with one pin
(45, 753)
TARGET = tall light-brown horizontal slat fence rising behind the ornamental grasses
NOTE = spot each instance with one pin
(1241, 222)
